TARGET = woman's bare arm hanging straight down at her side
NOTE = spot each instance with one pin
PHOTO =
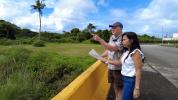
(138, 66)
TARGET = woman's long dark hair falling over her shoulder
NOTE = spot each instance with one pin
(135, 44)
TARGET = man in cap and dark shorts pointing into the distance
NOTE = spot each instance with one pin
(113, 51)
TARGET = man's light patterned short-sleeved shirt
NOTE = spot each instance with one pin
(113, 55)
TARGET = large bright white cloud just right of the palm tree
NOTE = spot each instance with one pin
(67, 13)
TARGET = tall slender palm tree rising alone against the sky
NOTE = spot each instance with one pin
(38, 6)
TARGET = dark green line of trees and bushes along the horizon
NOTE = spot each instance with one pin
(11, 34)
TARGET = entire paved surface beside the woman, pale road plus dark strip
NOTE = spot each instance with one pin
(159, 75)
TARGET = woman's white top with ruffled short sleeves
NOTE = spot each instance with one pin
(128, 66)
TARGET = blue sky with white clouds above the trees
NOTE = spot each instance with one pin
(152, 17)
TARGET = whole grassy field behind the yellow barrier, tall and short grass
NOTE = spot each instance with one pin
(39, 73)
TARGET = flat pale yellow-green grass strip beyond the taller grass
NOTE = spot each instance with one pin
(66, 49)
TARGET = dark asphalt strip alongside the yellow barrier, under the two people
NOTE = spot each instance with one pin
(153, 86)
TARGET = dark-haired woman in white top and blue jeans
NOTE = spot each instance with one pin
(131, 61)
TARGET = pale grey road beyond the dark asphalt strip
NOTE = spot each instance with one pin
(164, 60)
